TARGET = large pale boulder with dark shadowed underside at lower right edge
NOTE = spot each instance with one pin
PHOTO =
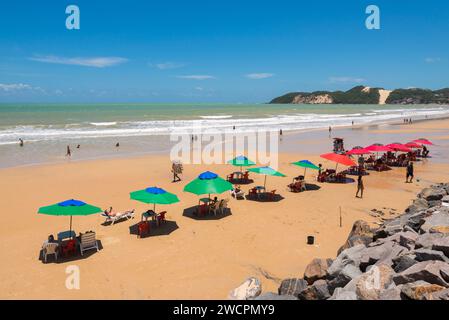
(434, 272)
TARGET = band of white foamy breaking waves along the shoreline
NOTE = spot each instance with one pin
(209, 124)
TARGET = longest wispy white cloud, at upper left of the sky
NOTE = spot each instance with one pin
(95, 62)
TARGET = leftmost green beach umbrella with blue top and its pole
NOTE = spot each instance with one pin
(69, 208)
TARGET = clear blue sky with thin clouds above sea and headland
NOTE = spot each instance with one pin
(216, 51)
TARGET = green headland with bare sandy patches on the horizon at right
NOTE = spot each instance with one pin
(366, 95)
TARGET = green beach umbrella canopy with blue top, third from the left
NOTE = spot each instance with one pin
(208, 183)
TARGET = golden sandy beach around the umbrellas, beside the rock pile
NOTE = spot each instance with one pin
(190, 258)
